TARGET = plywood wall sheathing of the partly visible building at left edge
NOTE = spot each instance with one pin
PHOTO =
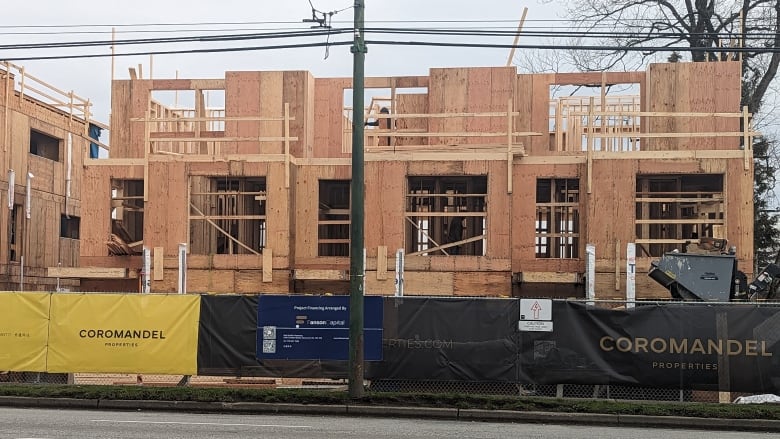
(40, 243)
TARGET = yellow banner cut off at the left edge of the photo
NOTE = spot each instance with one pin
(23, 331)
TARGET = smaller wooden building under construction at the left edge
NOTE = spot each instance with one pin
(45, 134)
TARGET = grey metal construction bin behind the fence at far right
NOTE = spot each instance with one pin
(706, 271)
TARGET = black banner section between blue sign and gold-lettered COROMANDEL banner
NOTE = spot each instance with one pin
(452, 339)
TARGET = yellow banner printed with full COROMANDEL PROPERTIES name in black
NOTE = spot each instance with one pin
(124, 333)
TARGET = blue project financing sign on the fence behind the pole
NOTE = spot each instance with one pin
(314, 328)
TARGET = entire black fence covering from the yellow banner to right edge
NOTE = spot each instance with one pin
(681, 346)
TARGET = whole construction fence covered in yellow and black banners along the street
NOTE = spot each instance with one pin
(667, 351)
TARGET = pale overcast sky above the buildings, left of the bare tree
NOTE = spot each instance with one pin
(90, 78)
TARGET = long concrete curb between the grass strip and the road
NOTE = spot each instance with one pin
(454, 414)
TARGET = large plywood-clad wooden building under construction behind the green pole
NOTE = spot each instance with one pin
(490, 183)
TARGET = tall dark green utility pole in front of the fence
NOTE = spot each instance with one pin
(356, 263)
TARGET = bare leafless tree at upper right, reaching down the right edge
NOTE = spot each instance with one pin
(700, 30)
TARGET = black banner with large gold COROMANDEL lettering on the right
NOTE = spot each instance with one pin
(727, 348)
